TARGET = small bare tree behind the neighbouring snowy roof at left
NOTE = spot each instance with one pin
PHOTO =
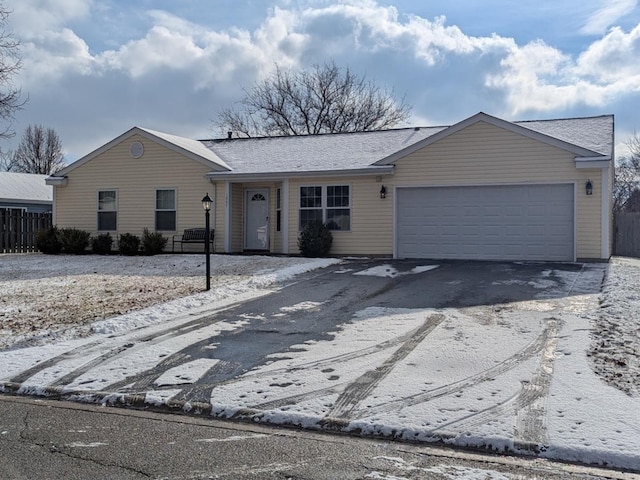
(40, 151)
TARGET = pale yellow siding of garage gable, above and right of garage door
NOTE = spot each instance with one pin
(483, 154)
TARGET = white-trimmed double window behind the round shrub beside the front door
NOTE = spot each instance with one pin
(330, 204)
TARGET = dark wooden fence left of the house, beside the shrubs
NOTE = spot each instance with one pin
(18, 229)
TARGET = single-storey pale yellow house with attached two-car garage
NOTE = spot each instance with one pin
(484, 188)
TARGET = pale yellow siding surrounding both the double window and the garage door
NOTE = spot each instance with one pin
(481, 154)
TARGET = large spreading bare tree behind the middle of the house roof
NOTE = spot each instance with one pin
(325, 99)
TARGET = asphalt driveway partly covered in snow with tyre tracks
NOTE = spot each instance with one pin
(414, 350)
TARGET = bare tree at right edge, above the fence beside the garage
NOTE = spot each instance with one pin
(626, 190)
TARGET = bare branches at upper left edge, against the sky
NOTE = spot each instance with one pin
(10, 64)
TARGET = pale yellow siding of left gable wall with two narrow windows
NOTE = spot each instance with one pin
(136, 181)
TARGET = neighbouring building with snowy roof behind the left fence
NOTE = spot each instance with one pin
(25, 191)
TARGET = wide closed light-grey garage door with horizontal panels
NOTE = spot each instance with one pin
(513, 222)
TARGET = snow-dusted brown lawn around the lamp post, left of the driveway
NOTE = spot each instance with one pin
(44, 297)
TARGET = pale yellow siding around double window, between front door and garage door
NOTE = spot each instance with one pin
(371, 217)
